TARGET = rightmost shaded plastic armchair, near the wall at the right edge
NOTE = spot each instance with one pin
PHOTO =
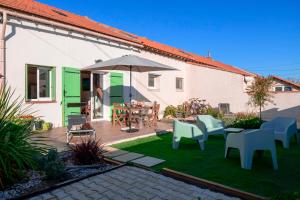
(284, 129)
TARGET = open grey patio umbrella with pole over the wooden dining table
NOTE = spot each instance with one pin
(130, 63)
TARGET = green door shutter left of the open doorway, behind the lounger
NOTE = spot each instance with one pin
(71, 92)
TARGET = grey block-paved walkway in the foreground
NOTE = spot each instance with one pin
(131, 183)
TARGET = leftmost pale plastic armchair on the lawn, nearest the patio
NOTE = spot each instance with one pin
(186, 130)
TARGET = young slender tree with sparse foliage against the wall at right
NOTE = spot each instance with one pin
(260, 92)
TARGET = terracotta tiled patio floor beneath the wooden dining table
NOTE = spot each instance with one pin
(105, 131)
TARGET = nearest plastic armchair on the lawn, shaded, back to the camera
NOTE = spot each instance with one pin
(248, 142)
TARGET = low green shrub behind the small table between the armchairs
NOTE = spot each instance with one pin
(247, 121)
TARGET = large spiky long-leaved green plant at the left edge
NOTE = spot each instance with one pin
(17, 149)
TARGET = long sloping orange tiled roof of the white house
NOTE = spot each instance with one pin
(42, 10)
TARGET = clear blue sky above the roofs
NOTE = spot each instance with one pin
(259, 36)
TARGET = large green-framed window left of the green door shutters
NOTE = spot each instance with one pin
(40, 83)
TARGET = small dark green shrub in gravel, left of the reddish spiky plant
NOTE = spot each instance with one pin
(51, 164)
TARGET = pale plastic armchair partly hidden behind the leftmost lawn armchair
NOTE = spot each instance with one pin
(210, 125)
